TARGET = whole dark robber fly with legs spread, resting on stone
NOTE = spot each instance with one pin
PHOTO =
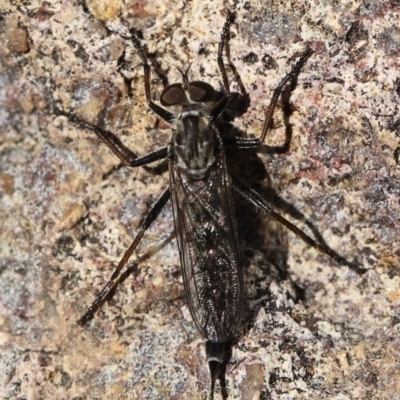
(201, 192)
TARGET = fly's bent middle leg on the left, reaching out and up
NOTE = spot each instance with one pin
(128, 157)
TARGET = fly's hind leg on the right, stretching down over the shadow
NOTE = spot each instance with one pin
(253, 197)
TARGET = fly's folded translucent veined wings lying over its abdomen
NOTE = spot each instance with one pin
(206, 231)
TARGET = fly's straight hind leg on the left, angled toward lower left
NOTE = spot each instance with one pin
(113, 282)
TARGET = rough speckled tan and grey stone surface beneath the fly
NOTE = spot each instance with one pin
(68, 214)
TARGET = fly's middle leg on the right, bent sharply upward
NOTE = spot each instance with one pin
(245, 143)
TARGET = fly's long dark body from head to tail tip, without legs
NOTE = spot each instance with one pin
(205, 224)
